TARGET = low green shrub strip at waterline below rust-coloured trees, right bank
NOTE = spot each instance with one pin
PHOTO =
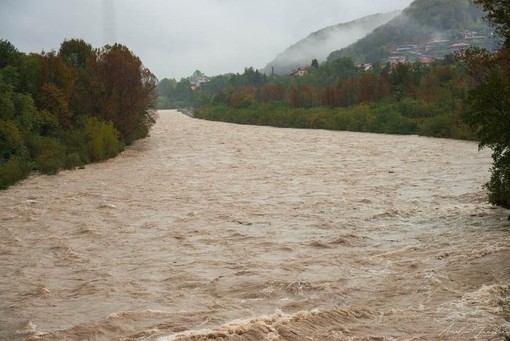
(407, 117)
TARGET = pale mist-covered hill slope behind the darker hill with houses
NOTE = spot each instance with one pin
(318, 45)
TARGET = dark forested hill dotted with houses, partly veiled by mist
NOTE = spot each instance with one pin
(426, 27)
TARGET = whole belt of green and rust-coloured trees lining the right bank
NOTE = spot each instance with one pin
(399, 99)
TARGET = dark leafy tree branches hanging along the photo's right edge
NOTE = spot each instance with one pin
(489, 101)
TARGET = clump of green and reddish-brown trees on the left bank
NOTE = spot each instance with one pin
(63, 109)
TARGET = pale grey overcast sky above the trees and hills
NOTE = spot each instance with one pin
(176, 37)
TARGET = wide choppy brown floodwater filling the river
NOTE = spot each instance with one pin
(209, 230)
